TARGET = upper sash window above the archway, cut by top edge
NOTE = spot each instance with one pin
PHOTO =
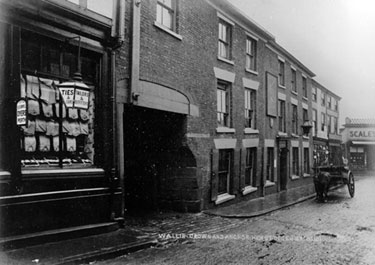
(166, 13)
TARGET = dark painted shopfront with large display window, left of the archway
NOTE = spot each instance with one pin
(58, 170)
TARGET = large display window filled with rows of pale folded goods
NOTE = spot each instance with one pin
(44, 144)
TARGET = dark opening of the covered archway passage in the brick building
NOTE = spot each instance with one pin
(150, 138)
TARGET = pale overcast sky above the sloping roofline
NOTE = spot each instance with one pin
(335, 39)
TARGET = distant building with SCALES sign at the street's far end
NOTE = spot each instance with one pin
(358, 137)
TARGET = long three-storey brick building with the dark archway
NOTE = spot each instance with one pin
(214, 109)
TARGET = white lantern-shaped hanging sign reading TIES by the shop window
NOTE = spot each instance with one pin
(75, 94)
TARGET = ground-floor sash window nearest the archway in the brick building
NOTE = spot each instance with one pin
(225, 170)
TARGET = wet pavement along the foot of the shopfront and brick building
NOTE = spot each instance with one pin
(143, 231)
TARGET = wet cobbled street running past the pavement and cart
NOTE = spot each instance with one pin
(340, 231)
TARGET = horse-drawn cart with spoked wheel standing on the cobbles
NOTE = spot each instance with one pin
(328, 176)
